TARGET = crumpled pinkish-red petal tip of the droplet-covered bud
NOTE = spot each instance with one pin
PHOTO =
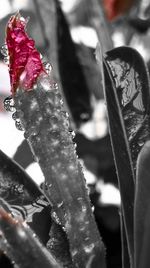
(25, 64)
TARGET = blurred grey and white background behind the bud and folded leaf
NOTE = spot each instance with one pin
(67, 33)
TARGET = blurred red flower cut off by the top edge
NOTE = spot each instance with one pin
(115, 8)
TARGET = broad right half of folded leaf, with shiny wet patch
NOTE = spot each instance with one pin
(131, 80)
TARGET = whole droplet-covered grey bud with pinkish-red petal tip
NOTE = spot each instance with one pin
(39, 107)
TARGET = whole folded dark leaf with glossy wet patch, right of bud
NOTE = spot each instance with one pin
(127, 95)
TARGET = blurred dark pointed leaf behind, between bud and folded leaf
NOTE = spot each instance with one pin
(73, 81)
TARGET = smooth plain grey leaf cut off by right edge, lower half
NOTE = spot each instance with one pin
(142, 209)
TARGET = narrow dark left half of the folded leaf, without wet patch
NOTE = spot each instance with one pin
(122, 156)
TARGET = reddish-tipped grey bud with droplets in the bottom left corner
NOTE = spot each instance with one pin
(21, 245)
